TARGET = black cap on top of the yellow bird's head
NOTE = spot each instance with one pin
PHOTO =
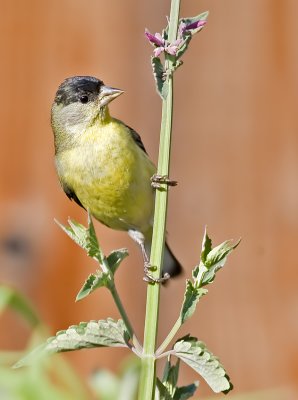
(73, 88)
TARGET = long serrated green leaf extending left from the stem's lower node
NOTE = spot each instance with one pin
(102, 333)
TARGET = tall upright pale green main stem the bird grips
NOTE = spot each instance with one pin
(148, 376)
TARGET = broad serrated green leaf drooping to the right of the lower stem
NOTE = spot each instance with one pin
(195, 354)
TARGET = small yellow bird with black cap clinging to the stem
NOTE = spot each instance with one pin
(103, 166)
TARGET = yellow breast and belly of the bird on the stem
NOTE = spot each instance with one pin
(111, 178)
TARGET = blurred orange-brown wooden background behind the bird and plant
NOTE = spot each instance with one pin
(234, 154)
